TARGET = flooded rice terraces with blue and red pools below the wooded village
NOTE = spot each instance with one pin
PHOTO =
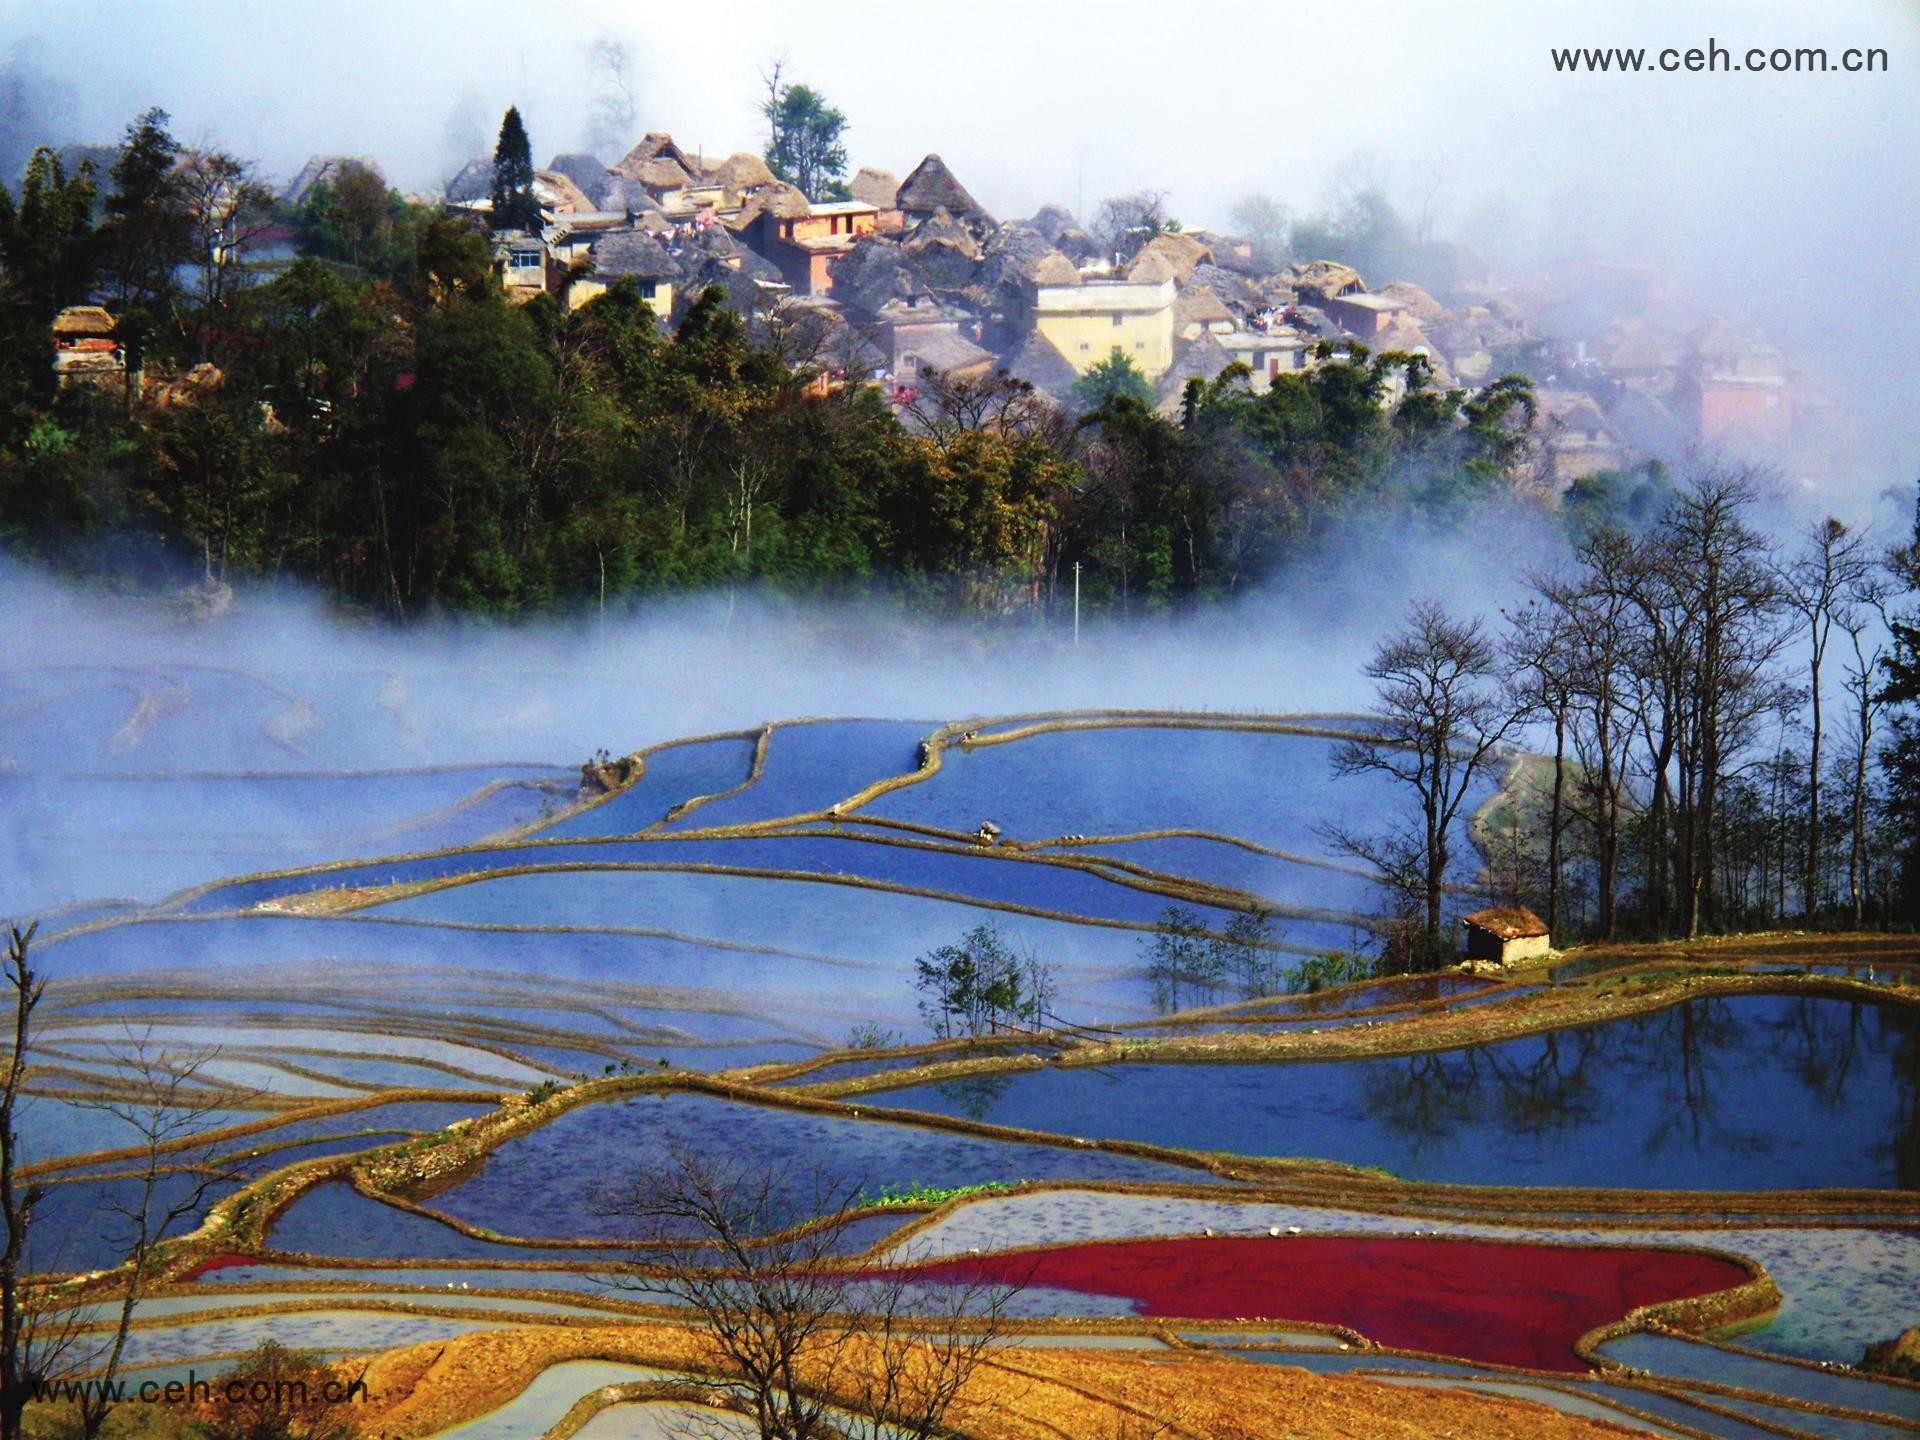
(1664, 1193)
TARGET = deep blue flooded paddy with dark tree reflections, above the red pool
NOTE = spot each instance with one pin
(1748, 1093)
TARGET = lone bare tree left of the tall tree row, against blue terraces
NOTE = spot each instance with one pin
(1441, 717)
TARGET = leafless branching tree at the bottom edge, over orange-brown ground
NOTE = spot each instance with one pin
(805, 1343)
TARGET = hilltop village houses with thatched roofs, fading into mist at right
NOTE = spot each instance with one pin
(913, 276)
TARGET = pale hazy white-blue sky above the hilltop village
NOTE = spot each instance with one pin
(1779, 195)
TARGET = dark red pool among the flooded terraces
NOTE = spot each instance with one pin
(1483, 1301)
